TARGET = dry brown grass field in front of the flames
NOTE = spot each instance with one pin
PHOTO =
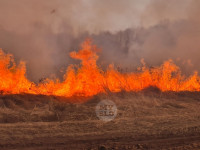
(146, 120)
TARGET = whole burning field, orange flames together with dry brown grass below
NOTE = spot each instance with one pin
(157, 108)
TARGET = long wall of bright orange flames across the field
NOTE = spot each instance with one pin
(89, 79)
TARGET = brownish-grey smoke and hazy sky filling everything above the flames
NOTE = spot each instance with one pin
(42, 33)
